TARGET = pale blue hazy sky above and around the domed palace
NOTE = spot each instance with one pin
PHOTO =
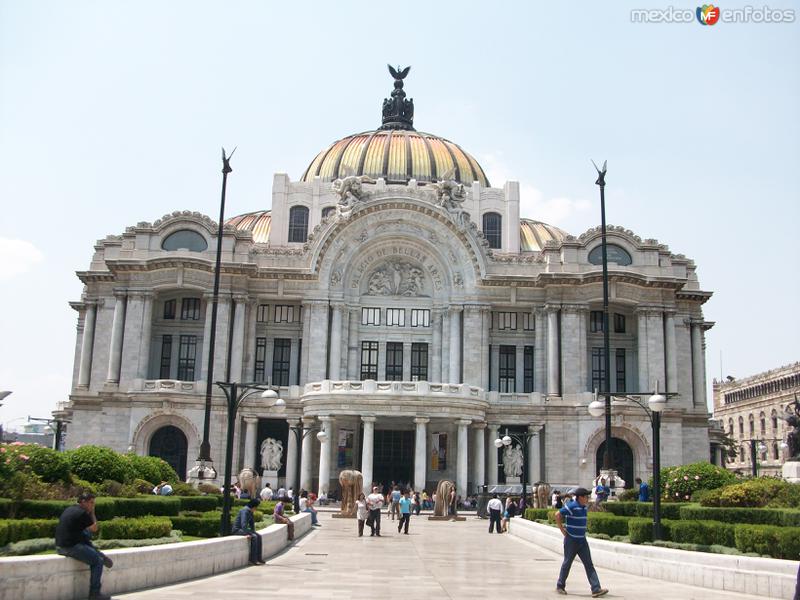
(113, 113)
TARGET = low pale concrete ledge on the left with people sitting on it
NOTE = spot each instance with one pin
(61, 578)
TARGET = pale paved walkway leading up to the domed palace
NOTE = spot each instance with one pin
(436, 560)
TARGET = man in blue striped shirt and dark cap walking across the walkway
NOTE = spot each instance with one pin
(571, 520)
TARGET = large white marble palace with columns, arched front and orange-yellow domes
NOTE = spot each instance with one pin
(393, 298)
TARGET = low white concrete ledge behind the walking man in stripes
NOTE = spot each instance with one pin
(765, 577)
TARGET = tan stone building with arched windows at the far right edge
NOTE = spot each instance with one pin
(749, 410)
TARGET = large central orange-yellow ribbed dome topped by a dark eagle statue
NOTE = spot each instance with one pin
(395, 151)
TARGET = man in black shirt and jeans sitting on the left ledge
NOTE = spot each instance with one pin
(74, 539)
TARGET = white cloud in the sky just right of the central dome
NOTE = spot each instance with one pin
(533, 203)
